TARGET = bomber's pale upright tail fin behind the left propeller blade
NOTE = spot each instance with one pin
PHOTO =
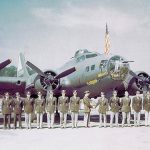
(22, 68)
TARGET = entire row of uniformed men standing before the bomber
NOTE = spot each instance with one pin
(39, 106)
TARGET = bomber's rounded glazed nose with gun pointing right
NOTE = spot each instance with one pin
(117, 68)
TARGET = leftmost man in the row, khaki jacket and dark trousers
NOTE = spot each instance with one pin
(6, 110)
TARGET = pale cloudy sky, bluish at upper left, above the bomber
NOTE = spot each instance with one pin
(49, 32)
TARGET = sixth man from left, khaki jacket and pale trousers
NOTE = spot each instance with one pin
(63, 105)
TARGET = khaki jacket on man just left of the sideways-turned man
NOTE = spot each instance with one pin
(74, 104)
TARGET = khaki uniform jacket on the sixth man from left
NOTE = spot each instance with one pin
(63, 104)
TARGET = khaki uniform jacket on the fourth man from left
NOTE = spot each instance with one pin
(39, 105)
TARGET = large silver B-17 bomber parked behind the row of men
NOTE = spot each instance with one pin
(85, 71)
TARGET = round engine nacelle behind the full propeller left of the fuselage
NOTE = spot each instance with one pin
(44, 83)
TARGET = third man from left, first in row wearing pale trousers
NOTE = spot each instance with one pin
(28, 109)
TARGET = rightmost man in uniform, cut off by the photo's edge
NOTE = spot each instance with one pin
(146, 107)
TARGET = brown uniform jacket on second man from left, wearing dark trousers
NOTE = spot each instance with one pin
(17, 104)
